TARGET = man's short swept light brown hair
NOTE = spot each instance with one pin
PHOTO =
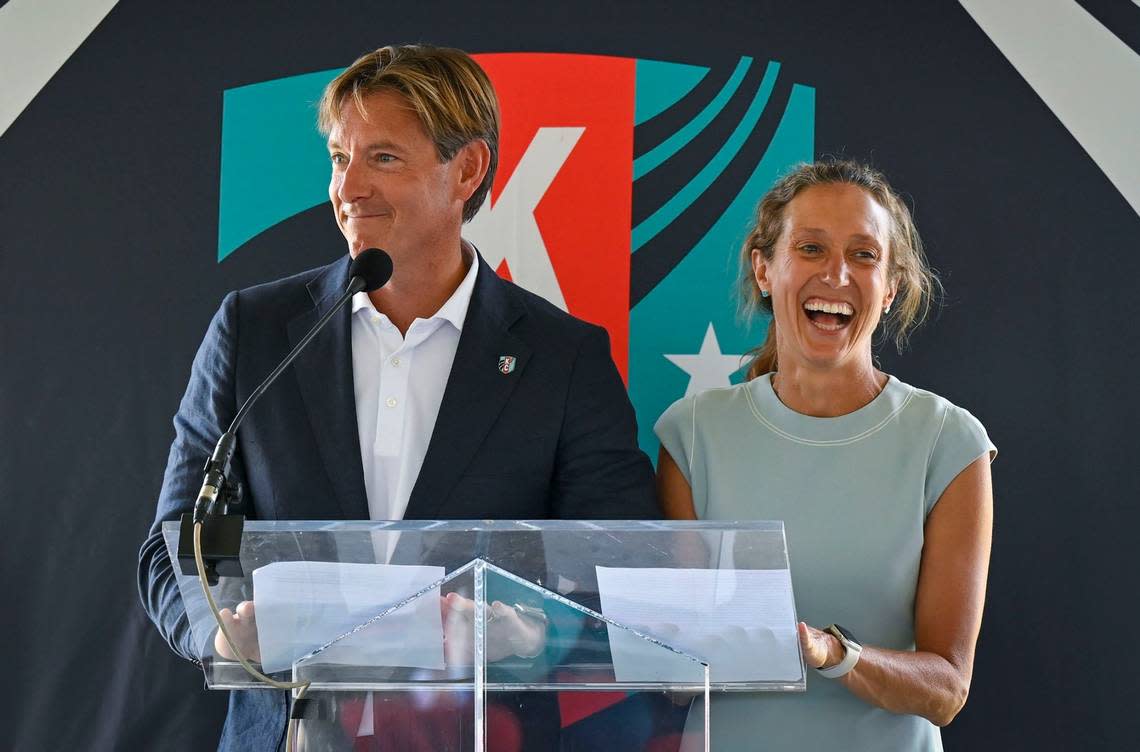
(452, 95)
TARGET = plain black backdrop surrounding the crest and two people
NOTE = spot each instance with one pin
(109, 218)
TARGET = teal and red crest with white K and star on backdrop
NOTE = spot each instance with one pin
(624, 192)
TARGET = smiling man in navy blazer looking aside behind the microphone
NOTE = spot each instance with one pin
(413, 143)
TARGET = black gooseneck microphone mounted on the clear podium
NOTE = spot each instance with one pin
(222, 535)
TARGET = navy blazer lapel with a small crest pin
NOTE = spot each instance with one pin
(476, 393)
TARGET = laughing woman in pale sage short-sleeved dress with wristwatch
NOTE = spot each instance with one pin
(884, 489)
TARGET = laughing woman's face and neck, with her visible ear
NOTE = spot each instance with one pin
(829, 276)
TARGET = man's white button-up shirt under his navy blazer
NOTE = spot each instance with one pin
(400, 383)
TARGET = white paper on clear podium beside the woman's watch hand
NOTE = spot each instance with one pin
(743, 623)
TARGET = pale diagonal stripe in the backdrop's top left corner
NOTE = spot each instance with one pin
(37, 37)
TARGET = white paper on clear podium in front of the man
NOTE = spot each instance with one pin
(304, 606)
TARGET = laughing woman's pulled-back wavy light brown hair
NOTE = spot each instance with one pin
(907, 263)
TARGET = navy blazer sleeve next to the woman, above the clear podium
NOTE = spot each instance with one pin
(601, 473)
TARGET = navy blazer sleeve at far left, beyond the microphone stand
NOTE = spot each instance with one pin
(207, 410)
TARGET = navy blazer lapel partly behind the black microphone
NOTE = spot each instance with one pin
(324, 372)
